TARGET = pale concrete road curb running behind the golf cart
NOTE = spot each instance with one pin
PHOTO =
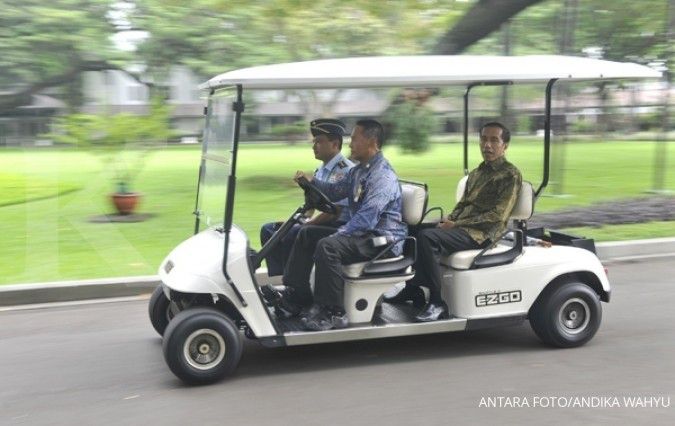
(63, 291)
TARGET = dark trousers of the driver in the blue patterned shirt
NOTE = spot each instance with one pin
(328, 251)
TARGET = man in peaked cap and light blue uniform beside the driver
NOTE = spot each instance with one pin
(327, 136)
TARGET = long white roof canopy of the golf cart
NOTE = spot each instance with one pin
(426, 71)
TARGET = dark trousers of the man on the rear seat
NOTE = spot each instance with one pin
(432, 243)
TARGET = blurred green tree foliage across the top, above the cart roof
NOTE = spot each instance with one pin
(48, 44)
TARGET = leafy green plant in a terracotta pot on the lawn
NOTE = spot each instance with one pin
(123, 140)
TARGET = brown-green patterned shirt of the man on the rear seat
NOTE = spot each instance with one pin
(490, 195)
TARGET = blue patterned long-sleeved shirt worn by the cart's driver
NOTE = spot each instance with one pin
(374, 201)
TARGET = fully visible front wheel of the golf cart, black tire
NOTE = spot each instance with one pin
(202, 345)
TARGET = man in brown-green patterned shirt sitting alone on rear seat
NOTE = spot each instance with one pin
(479, 218)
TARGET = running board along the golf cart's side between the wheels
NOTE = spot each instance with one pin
(373, 332)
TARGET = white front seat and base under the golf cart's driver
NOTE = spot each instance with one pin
(365, 282)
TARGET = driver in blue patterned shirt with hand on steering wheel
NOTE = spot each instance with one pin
(375, 210)
